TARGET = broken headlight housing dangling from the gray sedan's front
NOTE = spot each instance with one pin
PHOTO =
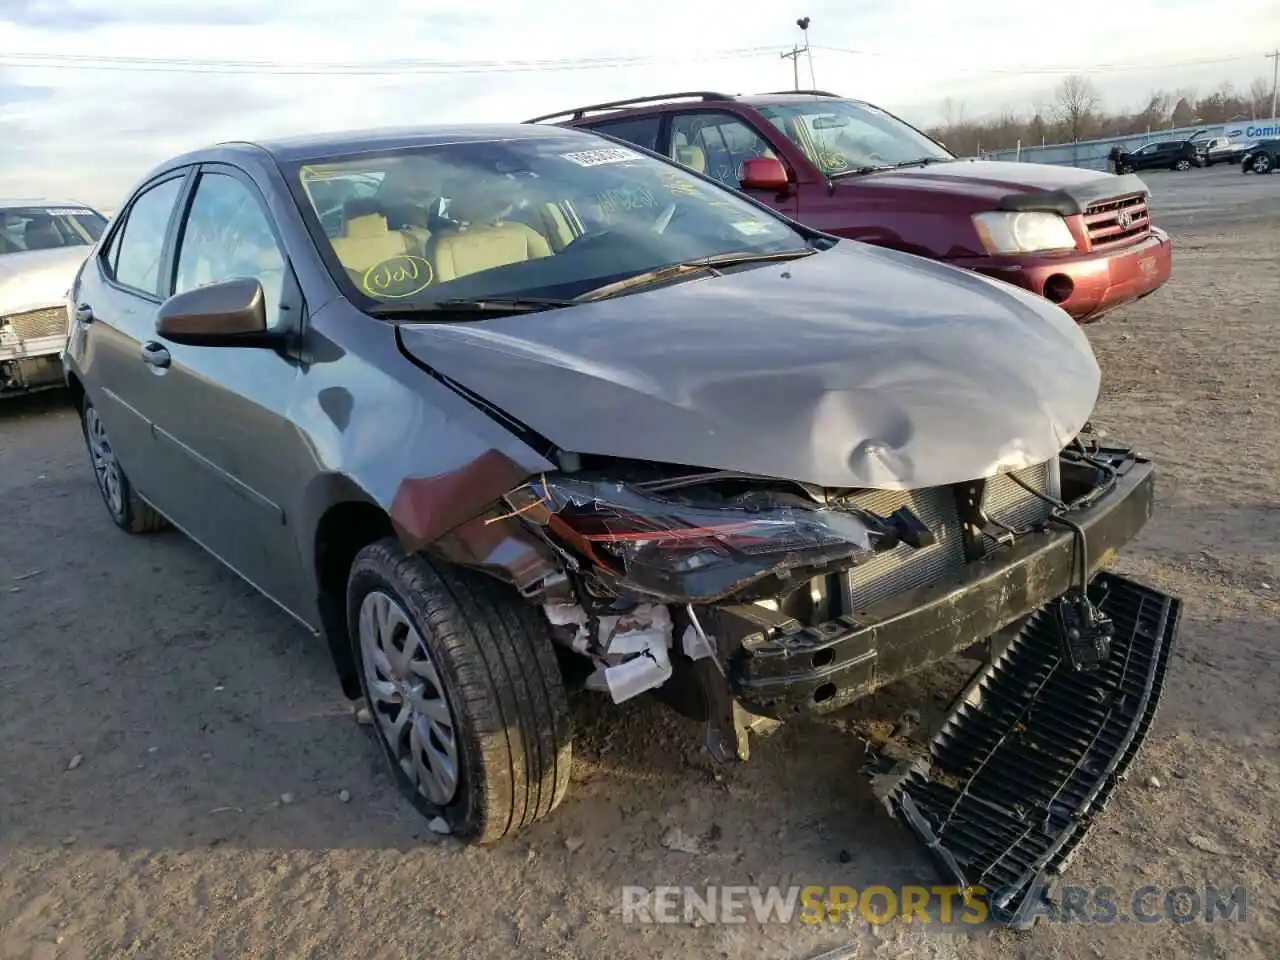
(698, 551)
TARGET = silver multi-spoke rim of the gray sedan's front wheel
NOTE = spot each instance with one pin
(408, 697)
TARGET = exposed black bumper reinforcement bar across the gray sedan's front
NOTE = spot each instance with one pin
(784, 669)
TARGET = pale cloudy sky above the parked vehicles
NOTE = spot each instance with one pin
(92, 134)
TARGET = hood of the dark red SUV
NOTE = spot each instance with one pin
(1008, 186)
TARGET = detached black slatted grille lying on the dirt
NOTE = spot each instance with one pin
(1032, 752)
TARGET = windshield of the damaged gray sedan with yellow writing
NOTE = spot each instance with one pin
(548, 217)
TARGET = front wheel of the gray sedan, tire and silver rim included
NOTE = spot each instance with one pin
(469, 707)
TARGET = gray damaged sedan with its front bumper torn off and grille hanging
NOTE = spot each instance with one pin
(511, 413)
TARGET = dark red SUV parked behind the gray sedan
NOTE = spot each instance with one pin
(1082, 239)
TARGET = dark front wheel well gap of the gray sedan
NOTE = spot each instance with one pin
(342, 533)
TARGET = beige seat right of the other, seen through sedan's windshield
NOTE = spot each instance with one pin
(483, 241)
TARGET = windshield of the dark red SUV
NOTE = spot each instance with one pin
(842, 136)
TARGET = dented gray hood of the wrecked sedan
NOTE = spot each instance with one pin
(858, 367)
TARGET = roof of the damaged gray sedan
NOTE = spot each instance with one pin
(317, 147)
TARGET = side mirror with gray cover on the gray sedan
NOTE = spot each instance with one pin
(231, 313)
